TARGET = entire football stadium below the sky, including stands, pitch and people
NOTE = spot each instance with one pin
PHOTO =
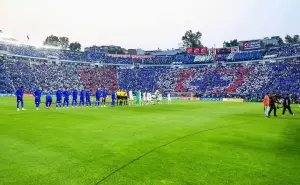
(196, 115)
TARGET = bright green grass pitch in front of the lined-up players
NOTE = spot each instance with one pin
(235, 144)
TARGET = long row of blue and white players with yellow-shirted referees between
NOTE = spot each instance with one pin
(120, 98)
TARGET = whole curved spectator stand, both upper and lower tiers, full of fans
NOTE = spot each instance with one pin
(208, 79)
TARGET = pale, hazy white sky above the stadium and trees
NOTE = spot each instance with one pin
(148, 24)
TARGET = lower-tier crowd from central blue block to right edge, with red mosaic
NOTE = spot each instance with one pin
(252, 80)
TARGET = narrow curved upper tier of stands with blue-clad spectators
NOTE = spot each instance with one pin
(31, 51)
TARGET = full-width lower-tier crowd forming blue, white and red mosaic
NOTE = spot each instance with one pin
(215, 80)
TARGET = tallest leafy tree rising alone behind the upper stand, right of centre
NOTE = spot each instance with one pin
(191, 39)
